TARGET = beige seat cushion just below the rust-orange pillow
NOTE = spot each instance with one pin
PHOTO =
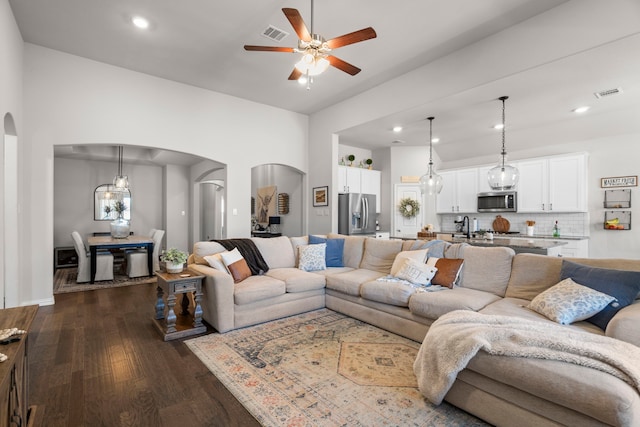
(432, 305)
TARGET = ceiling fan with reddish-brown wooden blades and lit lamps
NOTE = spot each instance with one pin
(315, 50)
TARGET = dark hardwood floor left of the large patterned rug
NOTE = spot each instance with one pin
(96, 359)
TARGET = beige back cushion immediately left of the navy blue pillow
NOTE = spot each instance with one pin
(532, 274)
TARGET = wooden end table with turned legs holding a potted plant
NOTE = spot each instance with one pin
(178, 283)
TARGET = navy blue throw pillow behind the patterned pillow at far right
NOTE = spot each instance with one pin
(621, 284)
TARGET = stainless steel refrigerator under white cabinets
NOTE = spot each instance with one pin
(356, 213)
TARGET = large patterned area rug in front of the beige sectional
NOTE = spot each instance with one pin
(323, 369)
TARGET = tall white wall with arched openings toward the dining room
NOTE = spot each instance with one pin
(71, 100)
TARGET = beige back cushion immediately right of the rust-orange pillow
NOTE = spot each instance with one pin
(487, 269)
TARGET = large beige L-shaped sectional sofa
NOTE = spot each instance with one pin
(501, 390)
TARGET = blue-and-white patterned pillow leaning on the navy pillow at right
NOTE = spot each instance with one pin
(569, 302)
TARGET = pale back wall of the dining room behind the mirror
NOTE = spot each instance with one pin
(74, 184)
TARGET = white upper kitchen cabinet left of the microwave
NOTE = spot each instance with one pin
(459, 191)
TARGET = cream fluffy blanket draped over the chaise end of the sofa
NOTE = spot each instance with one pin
(455, 338)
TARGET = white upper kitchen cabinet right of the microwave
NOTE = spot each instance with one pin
(553, 184)
